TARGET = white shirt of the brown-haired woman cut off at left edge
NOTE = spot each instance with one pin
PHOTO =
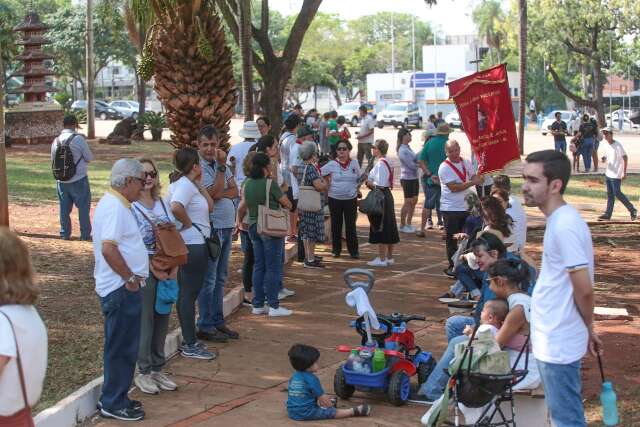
(32, 342)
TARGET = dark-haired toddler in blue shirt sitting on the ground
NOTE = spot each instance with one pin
(307, 400)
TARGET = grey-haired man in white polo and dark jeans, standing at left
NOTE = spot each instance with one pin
(121, 267)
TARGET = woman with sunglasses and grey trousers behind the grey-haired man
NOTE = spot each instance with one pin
(151, 211)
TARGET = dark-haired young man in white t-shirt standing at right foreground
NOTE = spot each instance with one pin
(562, 301)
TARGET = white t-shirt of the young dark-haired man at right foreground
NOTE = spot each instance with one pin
(558, 332)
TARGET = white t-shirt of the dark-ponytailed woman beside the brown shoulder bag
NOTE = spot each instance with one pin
(186, 193)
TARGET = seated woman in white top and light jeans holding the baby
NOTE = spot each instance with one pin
(507, 279)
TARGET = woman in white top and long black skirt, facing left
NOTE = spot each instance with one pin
(383, 230)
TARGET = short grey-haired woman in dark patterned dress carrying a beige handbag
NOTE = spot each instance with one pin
(311, 227)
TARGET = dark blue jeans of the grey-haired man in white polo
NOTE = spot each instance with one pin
(121, 309)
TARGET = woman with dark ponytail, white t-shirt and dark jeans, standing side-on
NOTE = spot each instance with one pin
(190, 205)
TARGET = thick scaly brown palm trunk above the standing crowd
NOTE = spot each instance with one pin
(186, 53)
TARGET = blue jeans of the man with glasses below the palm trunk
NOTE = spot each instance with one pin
(212, 293)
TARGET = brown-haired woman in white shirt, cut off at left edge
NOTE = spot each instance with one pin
(22, 333)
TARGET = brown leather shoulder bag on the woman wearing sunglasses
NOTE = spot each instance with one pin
(171, 250)
